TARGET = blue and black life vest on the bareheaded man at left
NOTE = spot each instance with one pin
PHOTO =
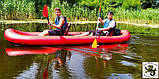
(64, 26)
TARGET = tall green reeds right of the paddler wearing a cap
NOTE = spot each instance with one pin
(140, 16)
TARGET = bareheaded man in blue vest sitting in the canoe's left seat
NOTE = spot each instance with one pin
(60, 25)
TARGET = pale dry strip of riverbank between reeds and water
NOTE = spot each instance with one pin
(76, 22)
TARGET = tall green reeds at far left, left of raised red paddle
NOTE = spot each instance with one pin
(16, 9)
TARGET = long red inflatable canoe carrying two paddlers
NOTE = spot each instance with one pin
(31, 38)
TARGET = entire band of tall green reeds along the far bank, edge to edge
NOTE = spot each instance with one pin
(23, 9)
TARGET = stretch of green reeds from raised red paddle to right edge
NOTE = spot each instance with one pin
(74, 13)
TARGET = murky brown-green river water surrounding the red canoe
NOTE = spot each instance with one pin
(108, 61)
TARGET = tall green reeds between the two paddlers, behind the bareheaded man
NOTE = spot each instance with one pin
(73, 12)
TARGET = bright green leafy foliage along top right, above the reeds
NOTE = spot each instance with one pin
(126, 4)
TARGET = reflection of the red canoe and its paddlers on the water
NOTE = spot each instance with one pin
(68, 61)
